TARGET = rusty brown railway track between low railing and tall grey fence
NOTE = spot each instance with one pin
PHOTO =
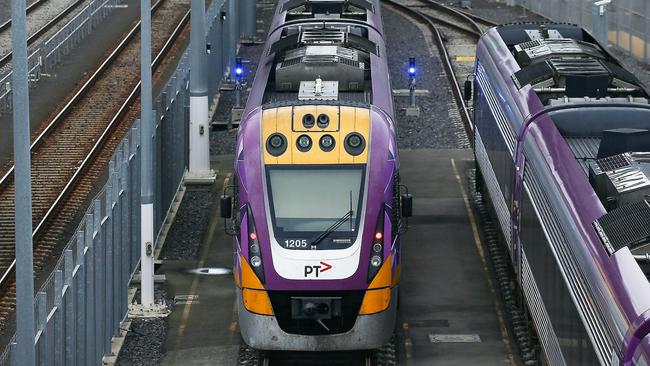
(71, 153)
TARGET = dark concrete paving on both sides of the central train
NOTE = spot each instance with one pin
(449, 313)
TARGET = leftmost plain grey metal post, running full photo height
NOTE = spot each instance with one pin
(25, 351)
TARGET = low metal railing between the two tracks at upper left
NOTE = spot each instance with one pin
(48, 54)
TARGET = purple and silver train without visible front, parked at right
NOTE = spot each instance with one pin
(561, 144)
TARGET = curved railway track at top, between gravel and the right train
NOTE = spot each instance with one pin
(455, 34)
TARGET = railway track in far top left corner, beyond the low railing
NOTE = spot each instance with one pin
(41, 17)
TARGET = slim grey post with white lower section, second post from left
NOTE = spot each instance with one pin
(146, 183)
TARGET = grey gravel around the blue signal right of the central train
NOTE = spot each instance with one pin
(439, 125)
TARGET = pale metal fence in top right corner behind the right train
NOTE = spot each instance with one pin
(628, 20)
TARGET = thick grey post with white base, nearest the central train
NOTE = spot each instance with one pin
(199, 167)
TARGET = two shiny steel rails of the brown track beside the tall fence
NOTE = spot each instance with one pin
(106, 134)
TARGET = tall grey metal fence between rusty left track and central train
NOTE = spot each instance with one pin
(83, 302)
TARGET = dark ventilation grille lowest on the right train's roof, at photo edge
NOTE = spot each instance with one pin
(627, 226)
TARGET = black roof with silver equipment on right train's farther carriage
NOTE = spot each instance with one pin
(564, 64)
